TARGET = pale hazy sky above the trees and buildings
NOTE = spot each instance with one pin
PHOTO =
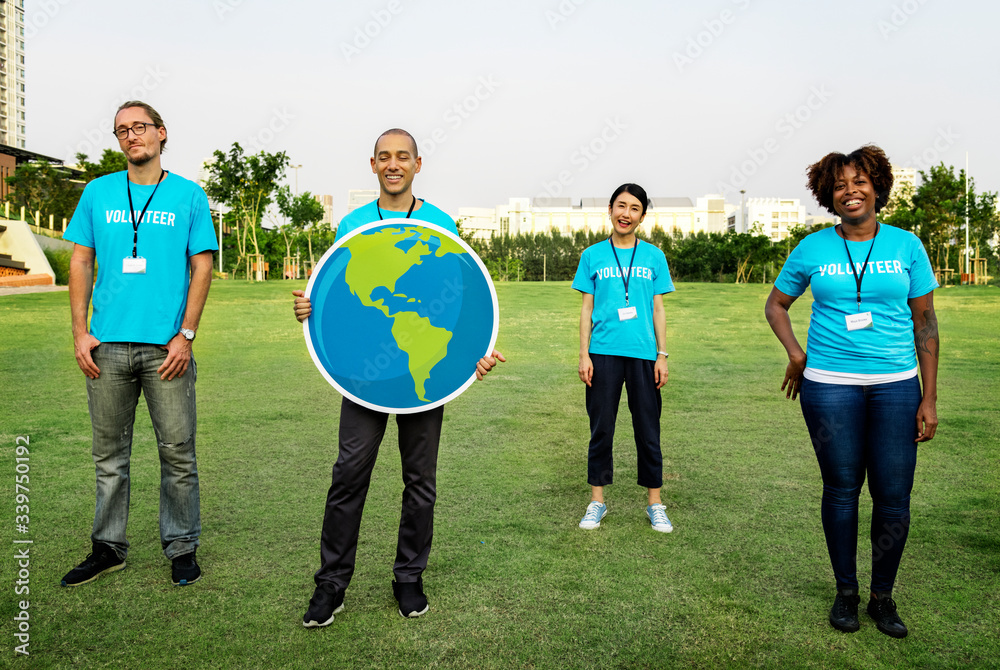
(520, 98)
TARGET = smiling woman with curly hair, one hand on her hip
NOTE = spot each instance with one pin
(872, 328)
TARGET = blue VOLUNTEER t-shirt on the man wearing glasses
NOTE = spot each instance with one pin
(141, 307)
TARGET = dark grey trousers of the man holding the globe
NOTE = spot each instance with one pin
(361, 432)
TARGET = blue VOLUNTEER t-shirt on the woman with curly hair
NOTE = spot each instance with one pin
(897, 271)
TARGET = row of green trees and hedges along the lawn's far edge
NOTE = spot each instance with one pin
(263, 220)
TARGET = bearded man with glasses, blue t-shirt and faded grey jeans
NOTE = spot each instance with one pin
(151, 235)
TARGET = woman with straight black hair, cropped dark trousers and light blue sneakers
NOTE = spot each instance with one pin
(623, 341)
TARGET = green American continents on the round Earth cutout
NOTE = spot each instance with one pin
(424, 343)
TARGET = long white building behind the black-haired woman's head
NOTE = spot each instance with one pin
(542, 215)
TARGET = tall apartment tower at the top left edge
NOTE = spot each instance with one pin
(12, 73)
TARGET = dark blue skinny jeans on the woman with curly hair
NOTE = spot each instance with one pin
(859, 430)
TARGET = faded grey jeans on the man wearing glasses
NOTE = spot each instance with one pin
(127, 370)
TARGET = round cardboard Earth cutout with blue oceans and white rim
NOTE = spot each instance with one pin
(402, 310)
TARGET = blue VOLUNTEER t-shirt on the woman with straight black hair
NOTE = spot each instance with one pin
(599, 275)
